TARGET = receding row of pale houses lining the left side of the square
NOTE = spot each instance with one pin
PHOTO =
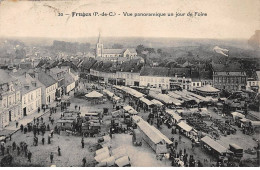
(25, 91)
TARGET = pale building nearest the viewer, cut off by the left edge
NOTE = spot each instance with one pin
(10, 99)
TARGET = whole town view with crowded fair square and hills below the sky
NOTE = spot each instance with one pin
(140, 102)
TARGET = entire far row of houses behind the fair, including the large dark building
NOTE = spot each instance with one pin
(135, 74)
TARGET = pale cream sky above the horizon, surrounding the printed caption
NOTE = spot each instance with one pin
(236, 19)
